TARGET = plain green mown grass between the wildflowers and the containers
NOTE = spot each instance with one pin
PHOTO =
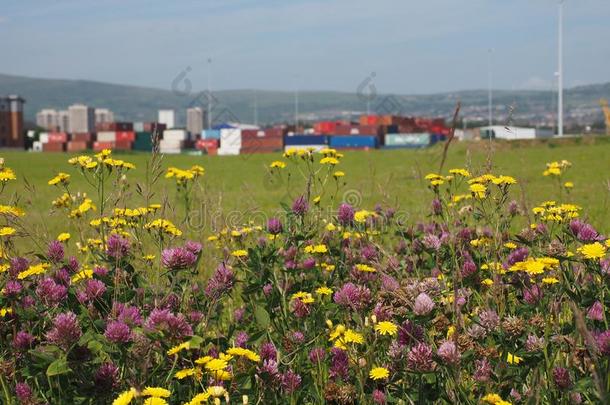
(239, 186)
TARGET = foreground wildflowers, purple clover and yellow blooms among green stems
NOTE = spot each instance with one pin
(483, 299)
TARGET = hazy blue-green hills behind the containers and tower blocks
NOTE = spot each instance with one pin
(141, 104)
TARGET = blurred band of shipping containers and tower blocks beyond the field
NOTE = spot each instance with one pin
(80, 127)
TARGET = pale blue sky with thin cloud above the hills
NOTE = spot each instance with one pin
(406, 46)
